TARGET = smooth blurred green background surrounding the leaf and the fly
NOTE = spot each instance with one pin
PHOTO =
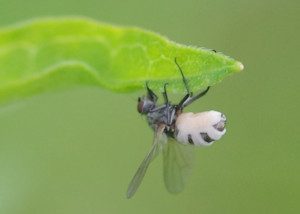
(75, 151)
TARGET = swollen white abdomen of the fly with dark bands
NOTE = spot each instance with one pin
(200, 129)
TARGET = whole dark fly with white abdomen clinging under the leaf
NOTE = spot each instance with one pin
(176, 134)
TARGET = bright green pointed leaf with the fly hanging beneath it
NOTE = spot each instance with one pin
(51, 54)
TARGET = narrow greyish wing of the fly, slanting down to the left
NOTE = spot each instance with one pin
(159, 138)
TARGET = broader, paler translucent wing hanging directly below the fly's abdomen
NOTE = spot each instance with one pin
(178, 160)
